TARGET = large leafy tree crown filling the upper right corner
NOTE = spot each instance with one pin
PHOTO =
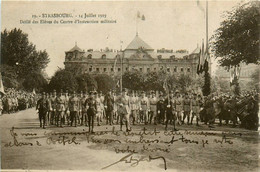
(237, 38)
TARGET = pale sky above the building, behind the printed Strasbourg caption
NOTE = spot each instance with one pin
(168, 24)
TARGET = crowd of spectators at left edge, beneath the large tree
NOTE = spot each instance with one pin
(12, 100)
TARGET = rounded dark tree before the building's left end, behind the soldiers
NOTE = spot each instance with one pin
(63, 79)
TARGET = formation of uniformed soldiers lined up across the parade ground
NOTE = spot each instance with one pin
(83, 109)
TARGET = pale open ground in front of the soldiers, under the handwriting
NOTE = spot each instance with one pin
(192, 148)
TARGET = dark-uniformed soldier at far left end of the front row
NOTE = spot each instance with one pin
(42, 107)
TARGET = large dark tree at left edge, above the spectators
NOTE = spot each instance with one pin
(21, 56)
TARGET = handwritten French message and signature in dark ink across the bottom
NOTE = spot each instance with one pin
(140, 146)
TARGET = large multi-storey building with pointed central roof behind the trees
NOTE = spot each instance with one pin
(138, 55)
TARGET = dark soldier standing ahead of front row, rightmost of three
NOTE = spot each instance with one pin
(170, 110)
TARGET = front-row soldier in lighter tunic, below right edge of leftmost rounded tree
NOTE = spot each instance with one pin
(74, 105)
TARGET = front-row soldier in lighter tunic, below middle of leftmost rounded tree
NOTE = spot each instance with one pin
(60, 109)
